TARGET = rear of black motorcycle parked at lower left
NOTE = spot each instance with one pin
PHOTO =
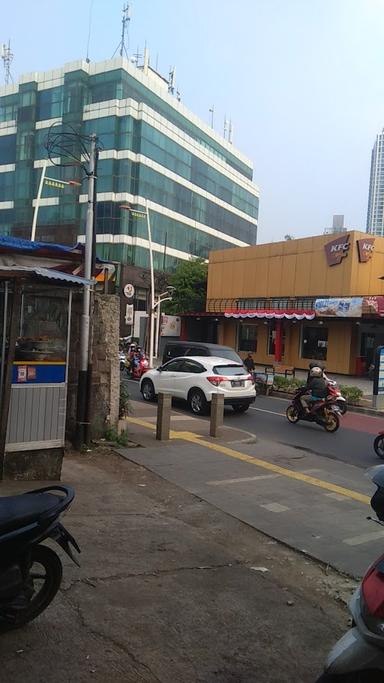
(31, 573)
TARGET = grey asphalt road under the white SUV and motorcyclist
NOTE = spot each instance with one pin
(353, 443)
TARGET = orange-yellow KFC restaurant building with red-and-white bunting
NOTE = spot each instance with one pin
(300, 300)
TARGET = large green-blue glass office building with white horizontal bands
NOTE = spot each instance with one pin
(154, 151)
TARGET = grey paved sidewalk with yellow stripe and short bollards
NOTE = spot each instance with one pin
(310, 502)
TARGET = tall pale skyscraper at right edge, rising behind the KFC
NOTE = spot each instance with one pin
(375, 215)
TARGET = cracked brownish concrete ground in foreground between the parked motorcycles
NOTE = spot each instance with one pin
(172, 589)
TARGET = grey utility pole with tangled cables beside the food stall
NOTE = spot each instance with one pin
(85, 361)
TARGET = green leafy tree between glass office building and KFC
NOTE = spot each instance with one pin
(190, 283)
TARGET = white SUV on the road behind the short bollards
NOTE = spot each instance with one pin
(195, 379)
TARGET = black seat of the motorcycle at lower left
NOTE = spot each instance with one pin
(24, 509)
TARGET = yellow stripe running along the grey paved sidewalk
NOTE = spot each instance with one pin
(191, 437)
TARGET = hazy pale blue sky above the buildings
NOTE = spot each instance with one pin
(301, 79)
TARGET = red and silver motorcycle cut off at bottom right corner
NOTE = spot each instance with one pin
(358, 657)
